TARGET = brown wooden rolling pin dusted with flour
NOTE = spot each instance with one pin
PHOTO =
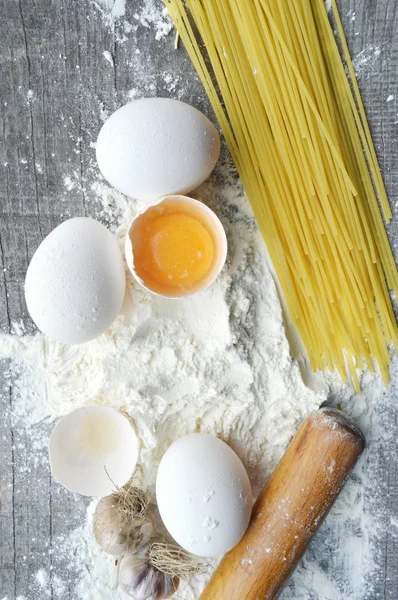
(293, 504)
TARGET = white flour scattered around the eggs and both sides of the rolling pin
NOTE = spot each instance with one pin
(218, 363)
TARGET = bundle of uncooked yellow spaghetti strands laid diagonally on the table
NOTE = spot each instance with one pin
(297, 131)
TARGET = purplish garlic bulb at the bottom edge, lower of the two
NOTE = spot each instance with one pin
(141, 581)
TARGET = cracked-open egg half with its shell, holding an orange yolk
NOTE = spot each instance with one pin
(176, 247)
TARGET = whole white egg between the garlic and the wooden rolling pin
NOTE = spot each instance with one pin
(204, 495)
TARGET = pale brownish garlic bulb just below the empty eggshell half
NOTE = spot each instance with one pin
(117, 527)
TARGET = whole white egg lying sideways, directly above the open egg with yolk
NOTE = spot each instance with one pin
(157, 146)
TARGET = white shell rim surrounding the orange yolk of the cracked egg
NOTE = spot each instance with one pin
(220, 243)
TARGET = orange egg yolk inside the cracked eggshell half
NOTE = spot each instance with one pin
(175, 250)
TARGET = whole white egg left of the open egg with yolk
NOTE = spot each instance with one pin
(75, 282)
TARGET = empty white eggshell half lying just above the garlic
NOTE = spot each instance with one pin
(93, 450)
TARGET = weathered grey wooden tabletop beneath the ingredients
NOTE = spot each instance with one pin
(54, 83)
